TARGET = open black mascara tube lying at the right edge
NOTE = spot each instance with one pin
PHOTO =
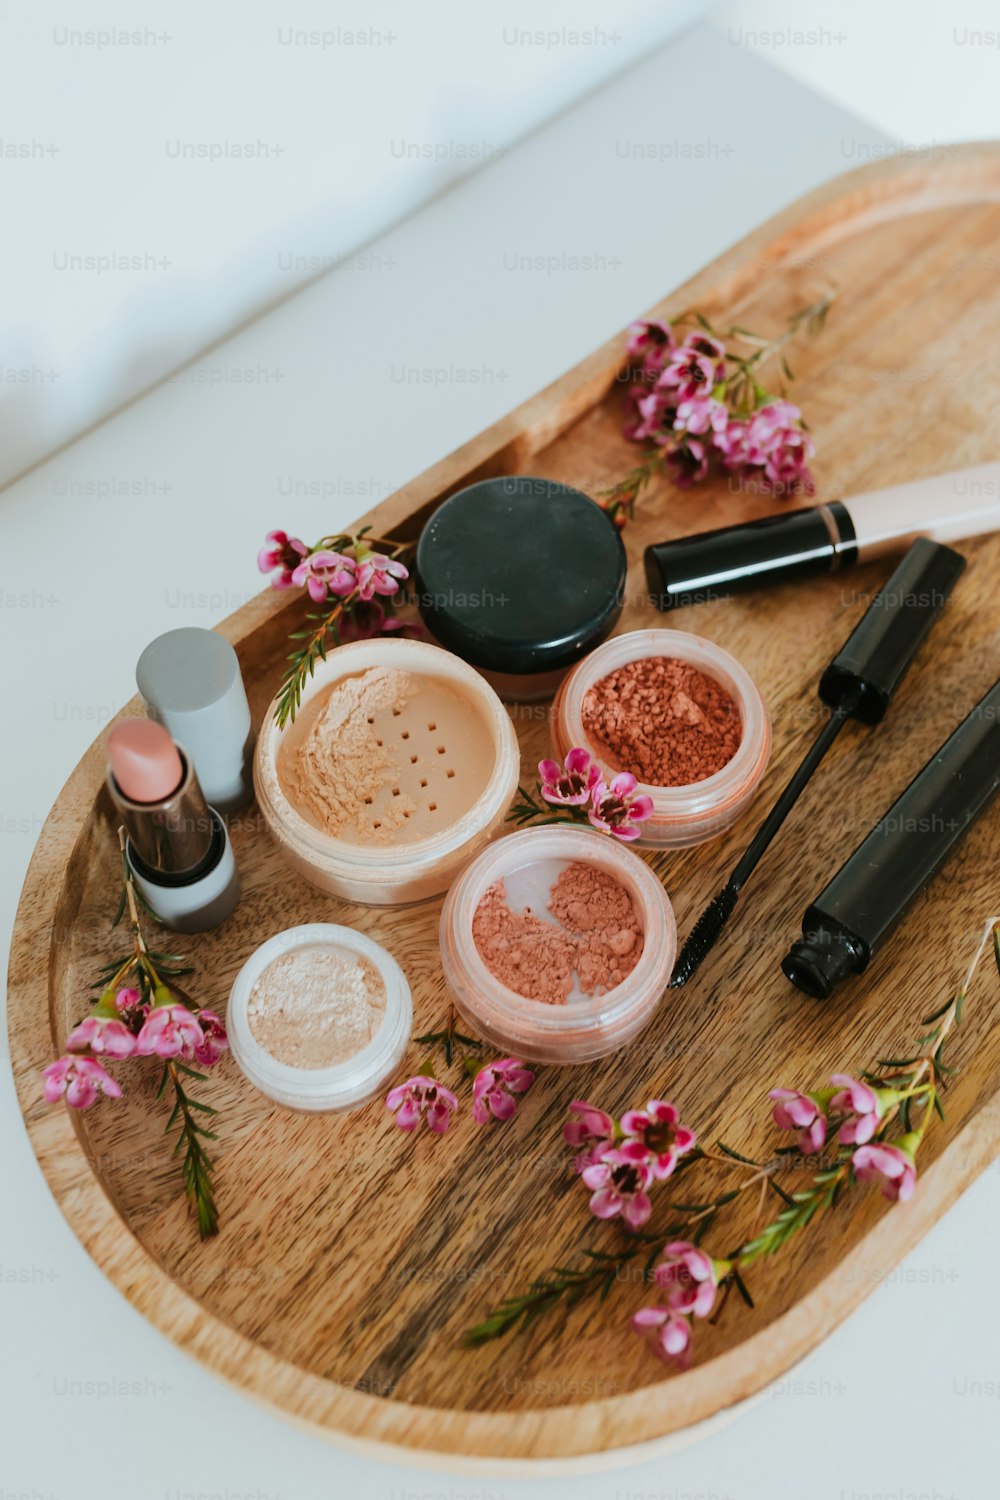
(872, 892)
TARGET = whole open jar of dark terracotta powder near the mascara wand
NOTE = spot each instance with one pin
(683, 716)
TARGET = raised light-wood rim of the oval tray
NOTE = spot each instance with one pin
(587, 1436)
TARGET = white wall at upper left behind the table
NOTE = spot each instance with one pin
(169, 170)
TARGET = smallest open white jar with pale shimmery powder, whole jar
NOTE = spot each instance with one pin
(320, 1018)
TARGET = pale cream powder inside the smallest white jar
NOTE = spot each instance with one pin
(317, 1007)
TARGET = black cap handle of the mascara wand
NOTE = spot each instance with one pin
(875, 659)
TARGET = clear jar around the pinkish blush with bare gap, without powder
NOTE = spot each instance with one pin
(581, 1030)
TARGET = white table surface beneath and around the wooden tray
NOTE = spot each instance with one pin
(155, 520)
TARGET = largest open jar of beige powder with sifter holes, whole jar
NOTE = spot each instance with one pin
(400, 767)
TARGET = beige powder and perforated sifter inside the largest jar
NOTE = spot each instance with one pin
(386, 758)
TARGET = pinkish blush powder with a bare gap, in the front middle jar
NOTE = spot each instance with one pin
(596, 935)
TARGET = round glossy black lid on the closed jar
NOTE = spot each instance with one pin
(521, 575)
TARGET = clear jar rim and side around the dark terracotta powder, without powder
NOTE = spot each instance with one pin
(683, 815)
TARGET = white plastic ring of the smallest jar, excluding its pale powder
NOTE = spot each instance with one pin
(359, 1078)
